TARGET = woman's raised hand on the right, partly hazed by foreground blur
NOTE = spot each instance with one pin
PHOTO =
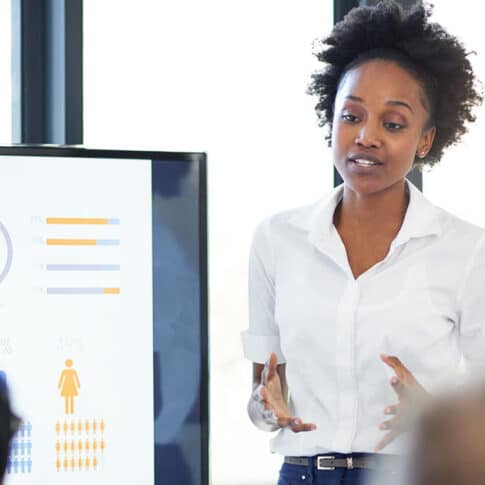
(411, 394)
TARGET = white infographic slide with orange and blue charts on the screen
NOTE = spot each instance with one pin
(76, 318)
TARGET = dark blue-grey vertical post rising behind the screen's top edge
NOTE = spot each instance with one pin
(47, 71)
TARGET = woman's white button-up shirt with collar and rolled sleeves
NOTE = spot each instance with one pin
(424, 302)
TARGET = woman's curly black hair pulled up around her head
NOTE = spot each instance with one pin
(436, 59)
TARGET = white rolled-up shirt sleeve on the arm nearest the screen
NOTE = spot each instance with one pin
(262, 337)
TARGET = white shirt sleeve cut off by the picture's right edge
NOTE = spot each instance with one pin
(471, 306)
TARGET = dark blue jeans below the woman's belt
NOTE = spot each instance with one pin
(305, 475)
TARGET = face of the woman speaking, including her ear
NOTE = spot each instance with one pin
(378, 126)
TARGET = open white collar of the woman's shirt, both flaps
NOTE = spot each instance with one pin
(422, 218)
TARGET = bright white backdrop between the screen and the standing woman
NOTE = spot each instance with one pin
(227, 77)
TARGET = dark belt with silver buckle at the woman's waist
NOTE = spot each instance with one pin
(329, 462)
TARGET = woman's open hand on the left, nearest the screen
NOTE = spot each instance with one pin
(271, 395)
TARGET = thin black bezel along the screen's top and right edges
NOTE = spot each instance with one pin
(199, 158)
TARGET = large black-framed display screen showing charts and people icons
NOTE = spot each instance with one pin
(103, 333)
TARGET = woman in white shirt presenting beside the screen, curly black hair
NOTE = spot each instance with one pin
(363, 304)
